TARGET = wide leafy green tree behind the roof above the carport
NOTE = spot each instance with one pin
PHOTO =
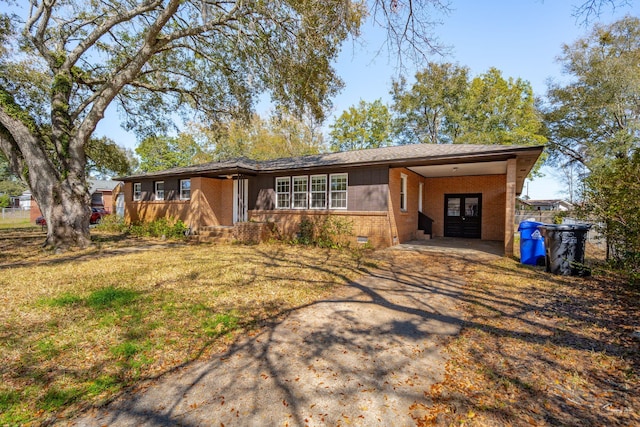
(443, 106)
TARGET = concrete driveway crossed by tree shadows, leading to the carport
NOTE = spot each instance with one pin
(362, 357)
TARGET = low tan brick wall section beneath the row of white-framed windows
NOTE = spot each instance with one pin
(374, 226)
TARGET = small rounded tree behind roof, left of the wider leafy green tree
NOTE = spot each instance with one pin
(368, 125)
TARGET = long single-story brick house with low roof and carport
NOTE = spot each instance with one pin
(392, 195)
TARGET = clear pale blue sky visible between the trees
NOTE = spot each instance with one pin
(521, 38)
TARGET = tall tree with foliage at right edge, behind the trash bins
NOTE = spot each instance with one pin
(594, 120)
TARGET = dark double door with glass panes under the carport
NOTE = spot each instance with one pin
(463, 215)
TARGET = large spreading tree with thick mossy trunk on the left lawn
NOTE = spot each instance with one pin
(73, 59)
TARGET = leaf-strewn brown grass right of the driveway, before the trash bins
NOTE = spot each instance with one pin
(541, 350)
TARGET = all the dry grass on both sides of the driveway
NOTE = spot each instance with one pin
(77, 329)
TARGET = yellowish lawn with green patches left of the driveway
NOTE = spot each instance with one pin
(78, 328)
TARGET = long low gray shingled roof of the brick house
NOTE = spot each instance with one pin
(403, 154)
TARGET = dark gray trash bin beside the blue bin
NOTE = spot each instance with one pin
(564, 248)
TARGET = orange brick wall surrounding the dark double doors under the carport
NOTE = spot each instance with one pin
(493, 189)
